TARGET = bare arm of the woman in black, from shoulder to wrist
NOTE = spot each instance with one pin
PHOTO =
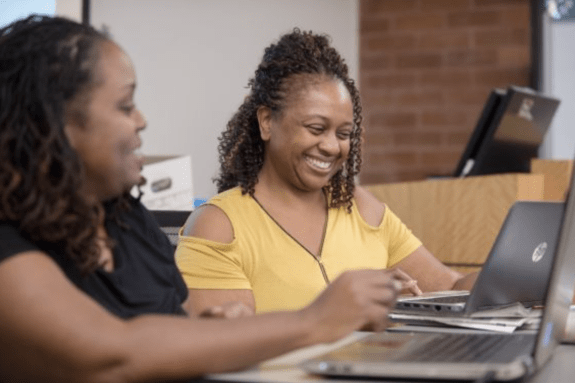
(50, 331)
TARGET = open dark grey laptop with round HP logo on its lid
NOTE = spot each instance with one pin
(517, 269)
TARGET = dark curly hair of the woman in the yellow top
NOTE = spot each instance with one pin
(241, 149)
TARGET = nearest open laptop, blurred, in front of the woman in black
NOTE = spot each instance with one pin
(466, 356)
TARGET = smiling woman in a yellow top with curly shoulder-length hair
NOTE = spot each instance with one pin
(289, 218)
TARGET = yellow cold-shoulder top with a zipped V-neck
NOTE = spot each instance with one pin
(282, 274)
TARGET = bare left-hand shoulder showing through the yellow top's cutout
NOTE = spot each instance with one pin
(211, 223)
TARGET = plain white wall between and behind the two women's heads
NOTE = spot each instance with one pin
(194, 58)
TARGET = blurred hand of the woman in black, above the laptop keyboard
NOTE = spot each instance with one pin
(356, 299)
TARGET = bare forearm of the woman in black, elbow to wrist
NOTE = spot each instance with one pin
(177, 349)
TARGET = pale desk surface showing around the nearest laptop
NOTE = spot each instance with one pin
(561, 367)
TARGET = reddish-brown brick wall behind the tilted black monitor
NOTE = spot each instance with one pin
(426, 68)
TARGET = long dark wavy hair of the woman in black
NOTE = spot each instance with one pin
(46, 65)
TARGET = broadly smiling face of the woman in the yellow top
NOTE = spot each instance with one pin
(309, 140)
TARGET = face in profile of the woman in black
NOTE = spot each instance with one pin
(106, 137)
